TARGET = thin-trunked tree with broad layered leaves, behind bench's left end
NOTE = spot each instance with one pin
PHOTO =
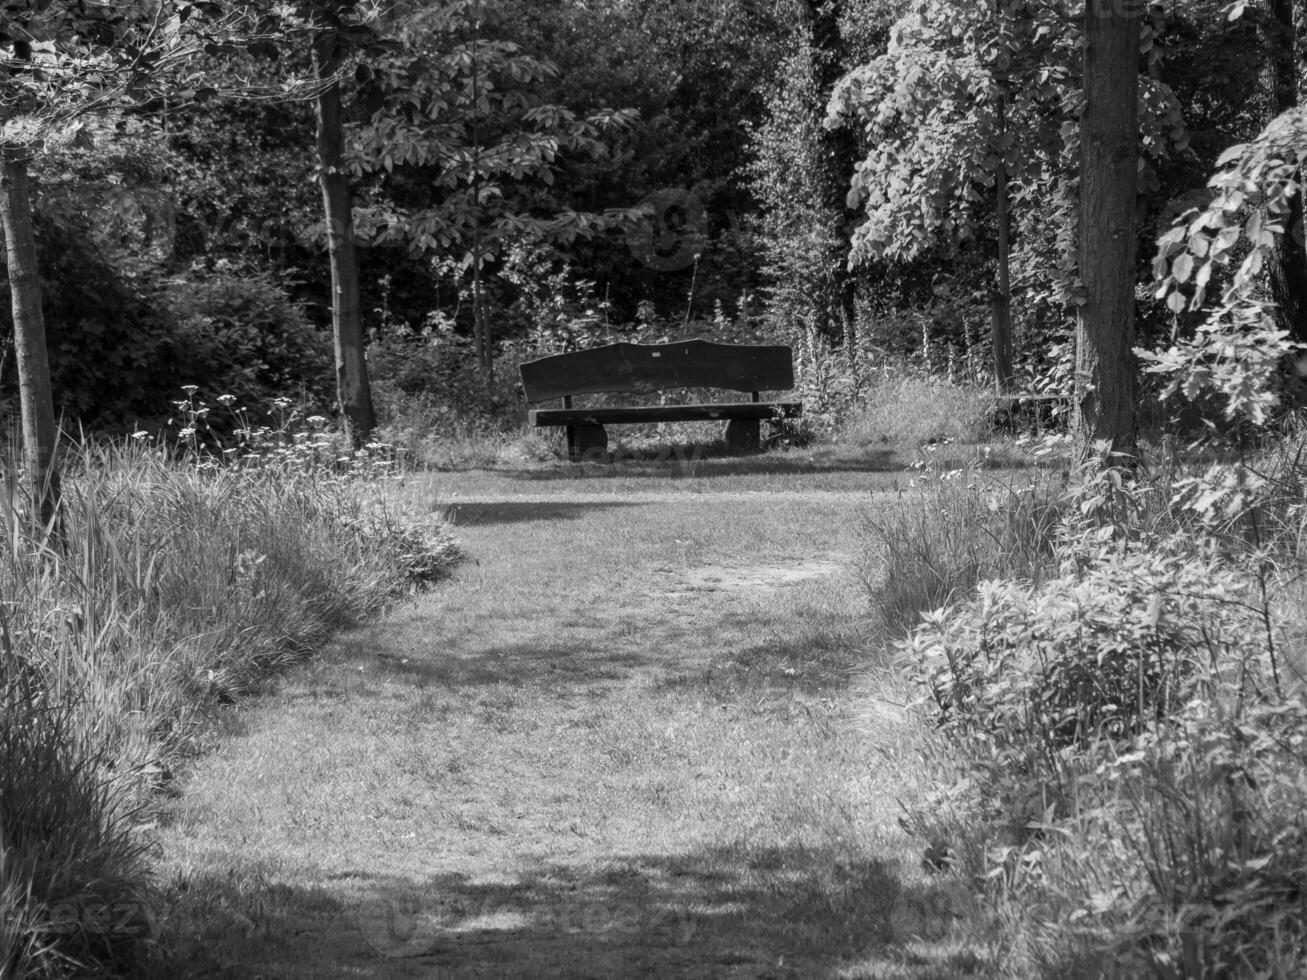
(462, 150)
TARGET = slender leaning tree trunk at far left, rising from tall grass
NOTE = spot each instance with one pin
(40, 434)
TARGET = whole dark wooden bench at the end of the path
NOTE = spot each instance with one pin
(638, 369)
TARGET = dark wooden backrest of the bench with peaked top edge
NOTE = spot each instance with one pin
(642, 368)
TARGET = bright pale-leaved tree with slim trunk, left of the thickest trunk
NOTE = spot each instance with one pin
(964, 106)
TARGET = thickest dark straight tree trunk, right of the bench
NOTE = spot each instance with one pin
(1105, 402)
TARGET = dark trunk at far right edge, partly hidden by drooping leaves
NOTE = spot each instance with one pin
(1289, 265)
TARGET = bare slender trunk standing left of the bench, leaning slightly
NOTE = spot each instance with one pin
(352, 385)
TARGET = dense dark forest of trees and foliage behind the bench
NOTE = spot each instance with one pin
(742, 168)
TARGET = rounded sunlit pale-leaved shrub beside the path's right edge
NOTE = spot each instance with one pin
(1112, 651)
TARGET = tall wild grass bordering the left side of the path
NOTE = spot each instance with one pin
(174, 586)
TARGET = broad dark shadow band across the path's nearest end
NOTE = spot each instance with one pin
(727, 911)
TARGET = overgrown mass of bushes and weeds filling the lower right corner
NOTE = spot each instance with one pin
(1126, 748)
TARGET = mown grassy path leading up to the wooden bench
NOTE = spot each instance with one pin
(621, 743)
